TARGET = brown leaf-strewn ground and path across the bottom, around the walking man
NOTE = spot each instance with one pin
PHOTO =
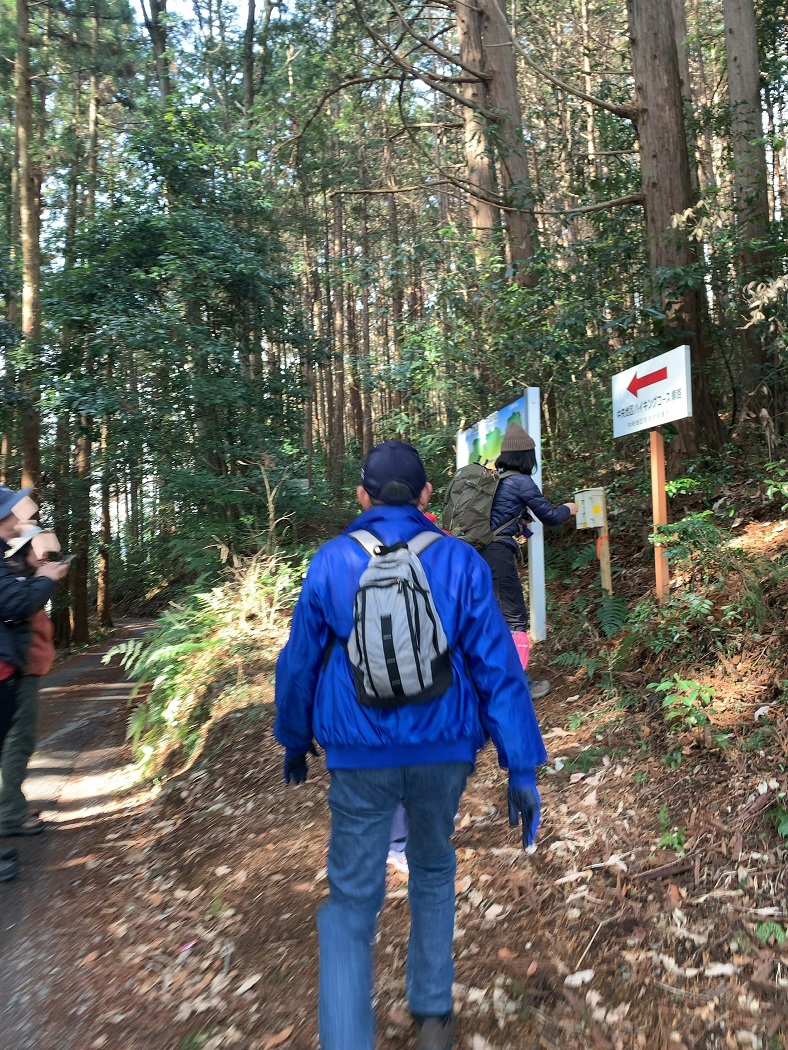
(652, 915)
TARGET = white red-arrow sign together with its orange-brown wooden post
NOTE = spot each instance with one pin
(645, 397)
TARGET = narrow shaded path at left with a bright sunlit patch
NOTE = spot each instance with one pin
(79, 779)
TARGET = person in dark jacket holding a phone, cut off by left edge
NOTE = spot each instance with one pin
(19, 600)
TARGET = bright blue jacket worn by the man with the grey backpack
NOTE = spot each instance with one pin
(316, 694)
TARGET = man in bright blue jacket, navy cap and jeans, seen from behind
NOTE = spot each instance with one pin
(417, 754)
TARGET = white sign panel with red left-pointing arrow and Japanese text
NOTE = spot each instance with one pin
(653, 393)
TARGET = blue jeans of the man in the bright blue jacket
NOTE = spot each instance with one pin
(363, 804)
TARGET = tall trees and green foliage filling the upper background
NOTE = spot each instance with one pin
(241, 245)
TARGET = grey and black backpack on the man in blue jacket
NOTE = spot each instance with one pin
(399, 649)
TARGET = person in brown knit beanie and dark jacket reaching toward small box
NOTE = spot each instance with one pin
(516, 494)
